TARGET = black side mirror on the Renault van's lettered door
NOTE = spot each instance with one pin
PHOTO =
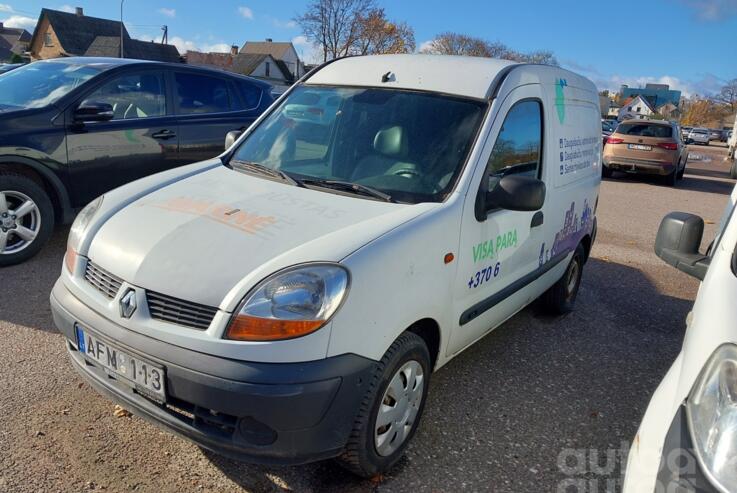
(511, 192)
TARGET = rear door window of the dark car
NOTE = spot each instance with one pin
(198, 94)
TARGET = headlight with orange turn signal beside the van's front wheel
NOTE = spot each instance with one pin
(291, 303)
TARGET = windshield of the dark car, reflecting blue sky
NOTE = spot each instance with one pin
(41, 83)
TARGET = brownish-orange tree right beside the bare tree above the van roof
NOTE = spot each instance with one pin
(377, 35)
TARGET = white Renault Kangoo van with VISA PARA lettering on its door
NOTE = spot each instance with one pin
(288, 300)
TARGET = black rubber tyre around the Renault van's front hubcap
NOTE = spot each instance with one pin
(360, 455)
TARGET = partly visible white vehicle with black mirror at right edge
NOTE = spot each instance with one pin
(688, 438)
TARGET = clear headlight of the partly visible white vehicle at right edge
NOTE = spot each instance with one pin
(712, 417)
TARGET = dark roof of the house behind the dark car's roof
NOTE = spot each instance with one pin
(77, 32)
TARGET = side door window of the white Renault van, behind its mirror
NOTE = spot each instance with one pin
(517, 148)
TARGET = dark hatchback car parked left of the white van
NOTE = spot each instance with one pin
(73, 128)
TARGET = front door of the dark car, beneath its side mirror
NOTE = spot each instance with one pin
(139, 140)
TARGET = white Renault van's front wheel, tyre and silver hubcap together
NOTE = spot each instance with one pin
(391, 409)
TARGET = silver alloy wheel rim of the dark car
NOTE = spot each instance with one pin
(20, 221)
